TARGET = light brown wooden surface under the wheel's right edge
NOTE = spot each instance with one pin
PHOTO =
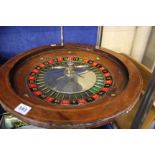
(125, 121)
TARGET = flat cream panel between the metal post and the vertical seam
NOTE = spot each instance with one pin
(118, 38)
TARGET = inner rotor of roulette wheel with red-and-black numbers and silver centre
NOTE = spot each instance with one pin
(69, 80)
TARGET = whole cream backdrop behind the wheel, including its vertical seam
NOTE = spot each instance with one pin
(131, 40)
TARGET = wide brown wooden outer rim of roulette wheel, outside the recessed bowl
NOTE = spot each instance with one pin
(86, 116)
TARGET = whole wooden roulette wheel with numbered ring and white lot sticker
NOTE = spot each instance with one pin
(69, 86)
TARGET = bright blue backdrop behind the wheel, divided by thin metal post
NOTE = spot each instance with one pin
(16, 39)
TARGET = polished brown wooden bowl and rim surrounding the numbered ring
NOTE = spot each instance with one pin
(127, 87)
